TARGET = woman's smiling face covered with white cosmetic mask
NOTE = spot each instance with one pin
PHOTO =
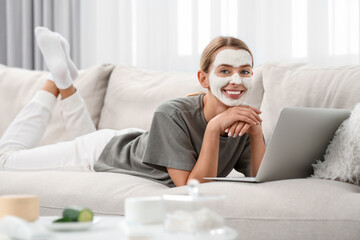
(230, 75)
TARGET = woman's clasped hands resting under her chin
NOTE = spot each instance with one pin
(238, 120)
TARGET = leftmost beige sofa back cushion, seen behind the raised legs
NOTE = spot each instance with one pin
(17, 87)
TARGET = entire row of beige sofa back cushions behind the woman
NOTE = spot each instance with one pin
(129, 96)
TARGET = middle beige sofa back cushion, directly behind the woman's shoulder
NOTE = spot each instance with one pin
(133, 95)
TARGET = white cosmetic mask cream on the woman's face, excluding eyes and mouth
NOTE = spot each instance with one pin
(233, 58)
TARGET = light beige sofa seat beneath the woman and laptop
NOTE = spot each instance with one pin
(287, 209)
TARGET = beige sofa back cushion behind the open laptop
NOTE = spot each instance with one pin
(304, 85)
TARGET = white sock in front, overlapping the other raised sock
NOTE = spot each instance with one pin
(54, 56)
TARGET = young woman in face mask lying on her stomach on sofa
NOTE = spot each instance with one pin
(205, 135)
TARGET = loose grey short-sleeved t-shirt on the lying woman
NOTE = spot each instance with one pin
(174, 140)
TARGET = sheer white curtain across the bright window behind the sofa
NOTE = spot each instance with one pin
(169, 35)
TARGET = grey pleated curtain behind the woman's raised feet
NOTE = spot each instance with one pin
(18, 18)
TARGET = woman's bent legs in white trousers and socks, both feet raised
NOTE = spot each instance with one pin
(18, 149)
